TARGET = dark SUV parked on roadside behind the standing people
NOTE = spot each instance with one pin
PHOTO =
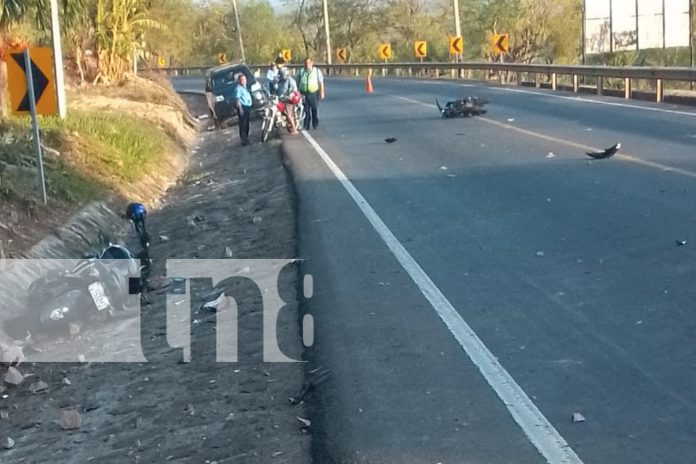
(219, 91)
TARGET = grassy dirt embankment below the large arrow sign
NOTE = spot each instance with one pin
(118, 143)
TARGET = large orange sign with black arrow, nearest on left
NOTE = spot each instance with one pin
(42, 74)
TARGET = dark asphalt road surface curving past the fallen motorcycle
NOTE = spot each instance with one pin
(481, 280)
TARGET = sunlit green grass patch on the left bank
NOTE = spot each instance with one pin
(98, 151)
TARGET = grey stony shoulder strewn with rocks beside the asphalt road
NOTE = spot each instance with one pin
(166, 410)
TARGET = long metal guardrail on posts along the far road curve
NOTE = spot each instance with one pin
(628, 73)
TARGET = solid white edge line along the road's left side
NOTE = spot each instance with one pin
(538, 429)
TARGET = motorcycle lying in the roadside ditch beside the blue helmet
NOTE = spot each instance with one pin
(96, 288)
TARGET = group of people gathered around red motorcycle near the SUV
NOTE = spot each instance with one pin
(308, 85)
